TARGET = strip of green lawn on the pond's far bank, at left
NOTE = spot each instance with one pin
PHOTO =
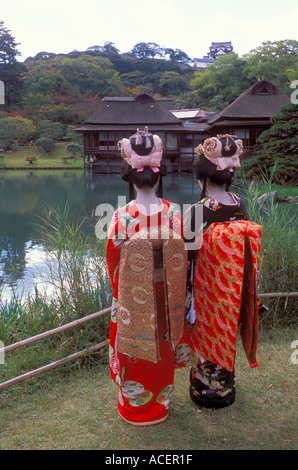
(52, 160)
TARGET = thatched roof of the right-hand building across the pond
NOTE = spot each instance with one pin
(261, 101)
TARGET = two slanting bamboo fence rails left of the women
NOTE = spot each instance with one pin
(60, 362)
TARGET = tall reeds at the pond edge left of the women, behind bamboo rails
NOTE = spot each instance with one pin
(76, 274)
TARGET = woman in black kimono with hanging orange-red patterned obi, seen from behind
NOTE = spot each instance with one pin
(221, 292)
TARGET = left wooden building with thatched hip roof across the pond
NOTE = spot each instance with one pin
(117, 118)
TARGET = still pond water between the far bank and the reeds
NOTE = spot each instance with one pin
(23, 195)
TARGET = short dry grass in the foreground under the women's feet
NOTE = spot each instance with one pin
(79, 411)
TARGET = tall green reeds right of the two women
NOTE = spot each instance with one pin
(279, 239)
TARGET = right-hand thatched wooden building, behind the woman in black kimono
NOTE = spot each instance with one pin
(249, 115)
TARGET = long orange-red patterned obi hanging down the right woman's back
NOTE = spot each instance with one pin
(225, 292)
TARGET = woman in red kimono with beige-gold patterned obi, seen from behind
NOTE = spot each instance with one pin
(147, 265)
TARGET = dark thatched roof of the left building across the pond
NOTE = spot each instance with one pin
(143, 110)
